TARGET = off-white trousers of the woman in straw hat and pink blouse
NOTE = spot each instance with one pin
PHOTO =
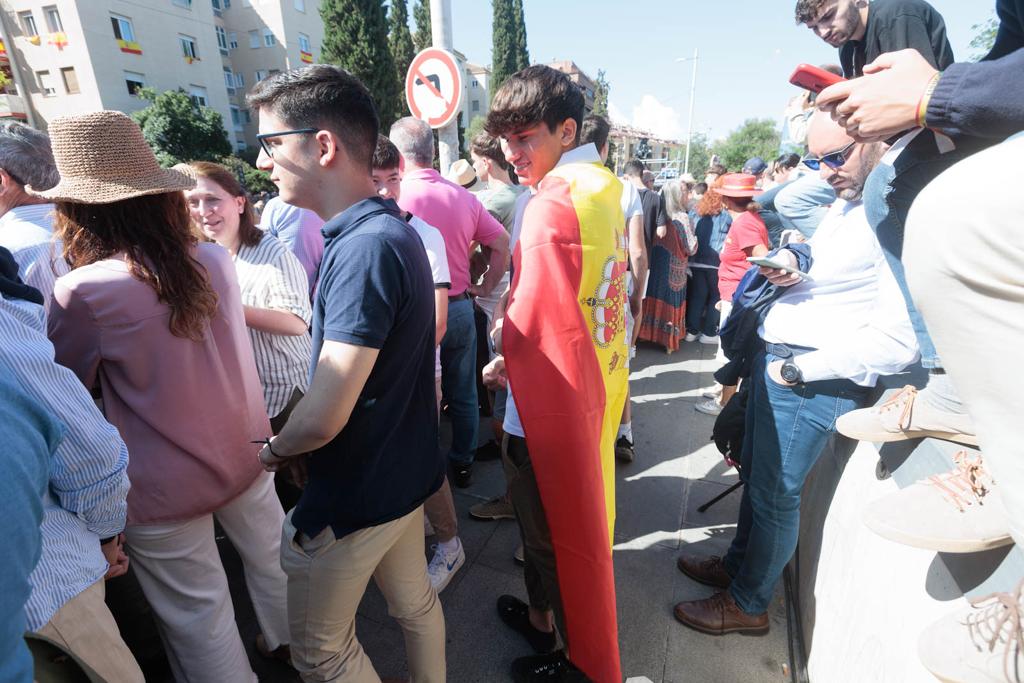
(180, 570)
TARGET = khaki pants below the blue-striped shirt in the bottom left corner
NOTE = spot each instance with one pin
(86, 627)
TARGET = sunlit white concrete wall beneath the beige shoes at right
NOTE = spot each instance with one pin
(864, 601)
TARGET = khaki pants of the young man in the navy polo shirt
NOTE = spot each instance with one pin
(327, 578)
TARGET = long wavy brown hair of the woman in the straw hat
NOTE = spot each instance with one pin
(155, 234)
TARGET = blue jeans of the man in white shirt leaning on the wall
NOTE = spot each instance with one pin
(787, 430)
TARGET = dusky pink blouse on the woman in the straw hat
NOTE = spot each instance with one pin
(188, 411)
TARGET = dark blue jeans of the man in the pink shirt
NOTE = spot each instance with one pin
(459, 380)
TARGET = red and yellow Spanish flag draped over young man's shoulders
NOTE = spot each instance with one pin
(566, 355)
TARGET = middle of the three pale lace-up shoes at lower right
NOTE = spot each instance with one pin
(958, 511)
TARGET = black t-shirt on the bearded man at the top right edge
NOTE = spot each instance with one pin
(899, 25)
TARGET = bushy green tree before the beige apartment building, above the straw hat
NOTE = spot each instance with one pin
(180, 131)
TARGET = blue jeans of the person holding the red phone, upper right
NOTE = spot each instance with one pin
(888, 195)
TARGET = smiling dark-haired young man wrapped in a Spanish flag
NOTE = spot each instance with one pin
(565, 347)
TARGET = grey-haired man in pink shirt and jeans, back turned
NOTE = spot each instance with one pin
(462, 222)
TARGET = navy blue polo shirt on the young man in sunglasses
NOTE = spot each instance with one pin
(376, 291)
